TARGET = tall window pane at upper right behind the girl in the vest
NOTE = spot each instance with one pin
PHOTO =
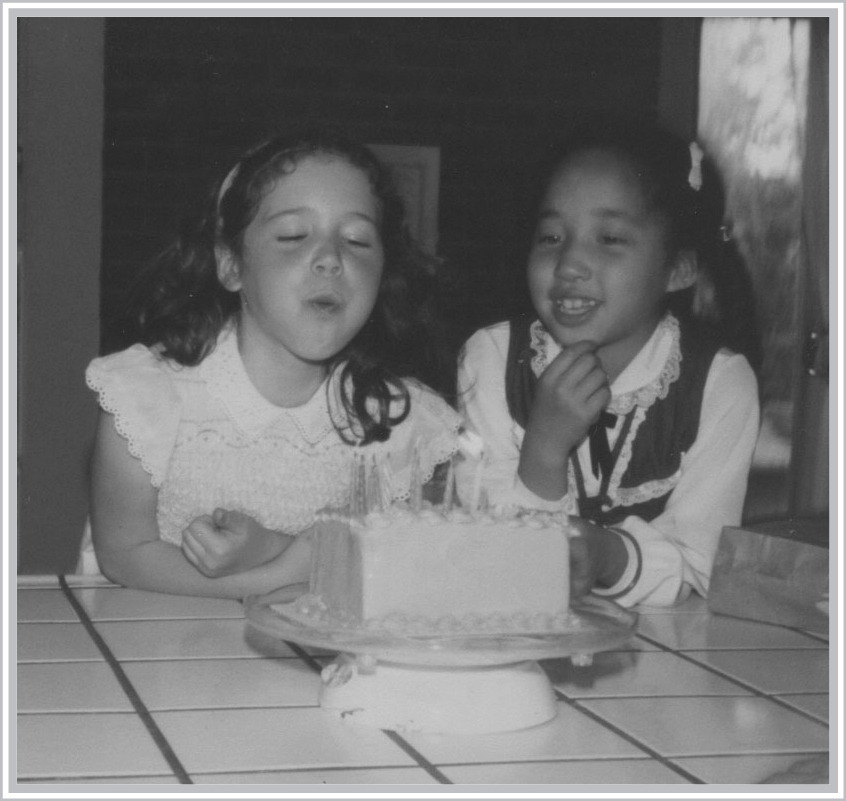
(753, 120)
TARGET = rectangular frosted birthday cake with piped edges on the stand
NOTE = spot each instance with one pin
(434, 572)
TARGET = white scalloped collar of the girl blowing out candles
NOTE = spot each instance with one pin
(227, 380)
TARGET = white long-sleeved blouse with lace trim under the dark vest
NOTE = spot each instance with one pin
(708, 490)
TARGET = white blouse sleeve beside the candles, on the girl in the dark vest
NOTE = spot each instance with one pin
(484, 410)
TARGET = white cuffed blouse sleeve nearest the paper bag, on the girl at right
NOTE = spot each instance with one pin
(679, 545)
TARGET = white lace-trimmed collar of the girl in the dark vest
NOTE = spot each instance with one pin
(646, 378)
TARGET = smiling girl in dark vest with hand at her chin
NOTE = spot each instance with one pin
(623, 397)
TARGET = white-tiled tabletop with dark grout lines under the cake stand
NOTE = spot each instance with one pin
(117, 686)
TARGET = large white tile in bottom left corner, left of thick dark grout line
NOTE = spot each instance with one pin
(76, 745)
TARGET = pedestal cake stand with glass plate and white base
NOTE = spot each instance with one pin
(457, 684)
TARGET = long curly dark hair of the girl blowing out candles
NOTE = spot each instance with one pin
(180, 306)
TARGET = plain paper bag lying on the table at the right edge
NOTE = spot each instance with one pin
(772, 578)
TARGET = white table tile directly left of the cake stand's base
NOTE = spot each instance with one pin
(224, 683)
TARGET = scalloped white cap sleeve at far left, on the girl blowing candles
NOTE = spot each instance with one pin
(134, 386)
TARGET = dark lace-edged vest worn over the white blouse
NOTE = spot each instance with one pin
(667, 432)
